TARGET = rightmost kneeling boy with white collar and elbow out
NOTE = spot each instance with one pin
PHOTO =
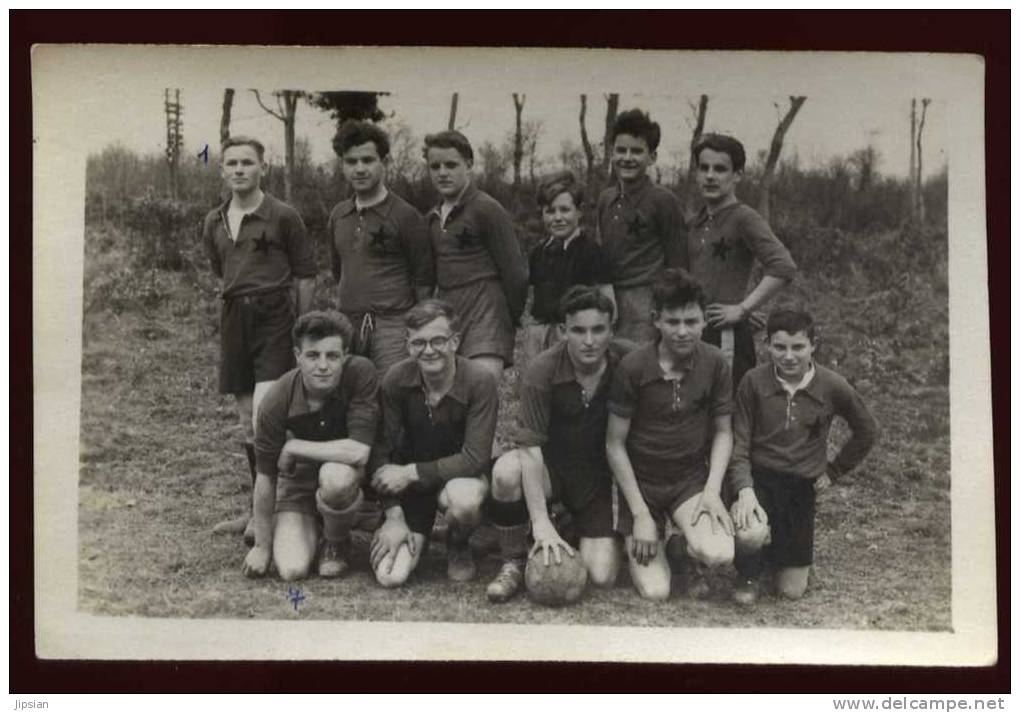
(782, 424)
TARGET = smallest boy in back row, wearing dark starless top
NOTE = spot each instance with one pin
(567, 258)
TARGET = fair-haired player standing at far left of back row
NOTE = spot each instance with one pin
(259, 246)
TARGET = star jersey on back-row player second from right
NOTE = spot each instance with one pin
(641, 231)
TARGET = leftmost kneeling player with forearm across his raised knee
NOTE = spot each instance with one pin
(316, 431)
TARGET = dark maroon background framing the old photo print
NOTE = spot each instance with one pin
(981, 33)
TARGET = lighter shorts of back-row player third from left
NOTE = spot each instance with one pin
(485, 320)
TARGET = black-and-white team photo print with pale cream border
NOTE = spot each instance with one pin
(516, 343)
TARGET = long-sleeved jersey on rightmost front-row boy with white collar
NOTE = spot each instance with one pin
(790, 434)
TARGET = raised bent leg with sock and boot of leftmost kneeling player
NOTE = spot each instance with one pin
(338, 498)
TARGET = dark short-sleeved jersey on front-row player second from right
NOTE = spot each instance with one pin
(672, 421)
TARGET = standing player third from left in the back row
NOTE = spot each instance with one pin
(480, 269)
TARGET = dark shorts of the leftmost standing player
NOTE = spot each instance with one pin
(256, 341)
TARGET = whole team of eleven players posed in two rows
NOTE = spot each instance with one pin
(628, 414)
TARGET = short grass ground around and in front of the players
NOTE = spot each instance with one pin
(161, 465)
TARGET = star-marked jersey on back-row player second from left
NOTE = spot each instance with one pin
(380, 254)
